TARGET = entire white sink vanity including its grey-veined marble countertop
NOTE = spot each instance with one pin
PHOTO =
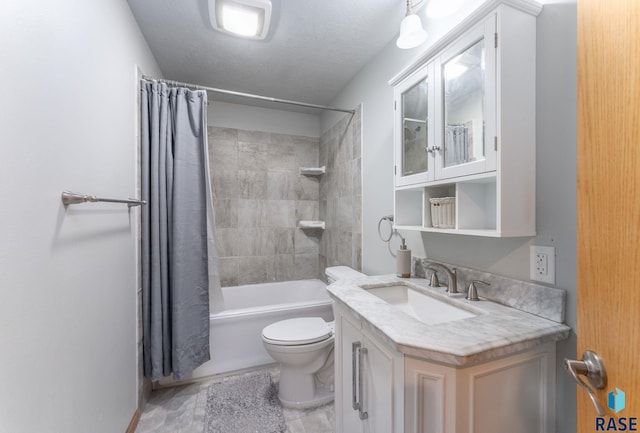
(490, 370)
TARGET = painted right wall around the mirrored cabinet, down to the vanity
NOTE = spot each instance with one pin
(555, 166)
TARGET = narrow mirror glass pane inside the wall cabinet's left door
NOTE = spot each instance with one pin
(414, 135)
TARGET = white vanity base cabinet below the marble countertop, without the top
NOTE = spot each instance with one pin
(401, 393)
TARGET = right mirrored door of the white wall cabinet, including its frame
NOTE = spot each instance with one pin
(466, 75)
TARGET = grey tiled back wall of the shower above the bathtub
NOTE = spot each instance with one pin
(259, 198)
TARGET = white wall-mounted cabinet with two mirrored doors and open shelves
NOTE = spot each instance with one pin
(465, 126)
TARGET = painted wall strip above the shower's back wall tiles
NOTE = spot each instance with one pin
(228, 115)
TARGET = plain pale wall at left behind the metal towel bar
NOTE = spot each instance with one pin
(68, 277)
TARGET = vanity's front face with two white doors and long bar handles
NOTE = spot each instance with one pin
(369, 375)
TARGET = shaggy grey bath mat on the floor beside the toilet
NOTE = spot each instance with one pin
(244, 404)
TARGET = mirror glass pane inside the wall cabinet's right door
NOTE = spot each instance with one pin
(464, 78)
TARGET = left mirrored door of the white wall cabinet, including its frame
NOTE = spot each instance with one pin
(414, 129)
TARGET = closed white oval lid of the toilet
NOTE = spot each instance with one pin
(301, 330)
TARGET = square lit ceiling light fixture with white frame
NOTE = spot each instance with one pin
(245, 18)
